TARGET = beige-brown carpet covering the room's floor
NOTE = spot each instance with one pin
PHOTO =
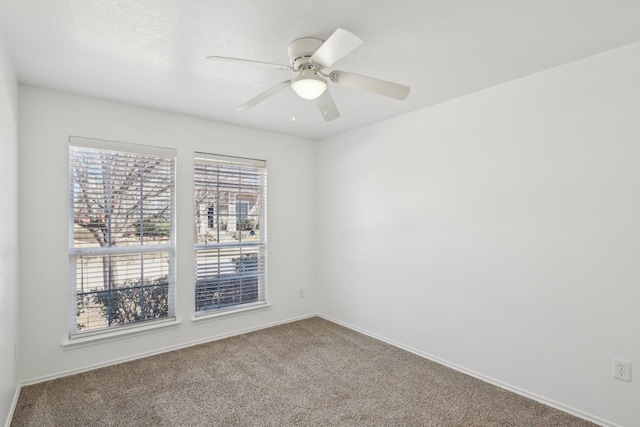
(307, 373)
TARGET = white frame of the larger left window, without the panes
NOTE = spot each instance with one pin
(167, 249)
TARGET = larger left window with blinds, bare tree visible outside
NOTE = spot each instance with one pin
(121, 238)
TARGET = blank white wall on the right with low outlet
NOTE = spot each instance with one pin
(499, 233)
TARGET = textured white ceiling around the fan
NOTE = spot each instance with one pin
(152, 52)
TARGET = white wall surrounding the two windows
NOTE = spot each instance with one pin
(46, 120)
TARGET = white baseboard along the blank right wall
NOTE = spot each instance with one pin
(521, 392)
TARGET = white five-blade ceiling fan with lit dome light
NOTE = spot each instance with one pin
(308, 58)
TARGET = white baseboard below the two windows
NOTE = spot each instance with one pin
(159, 351)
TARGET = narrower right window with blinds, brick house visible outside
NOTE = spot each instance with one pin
(230, 223)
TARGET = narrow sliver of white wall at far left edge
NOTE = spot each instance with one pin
(8, 232)
